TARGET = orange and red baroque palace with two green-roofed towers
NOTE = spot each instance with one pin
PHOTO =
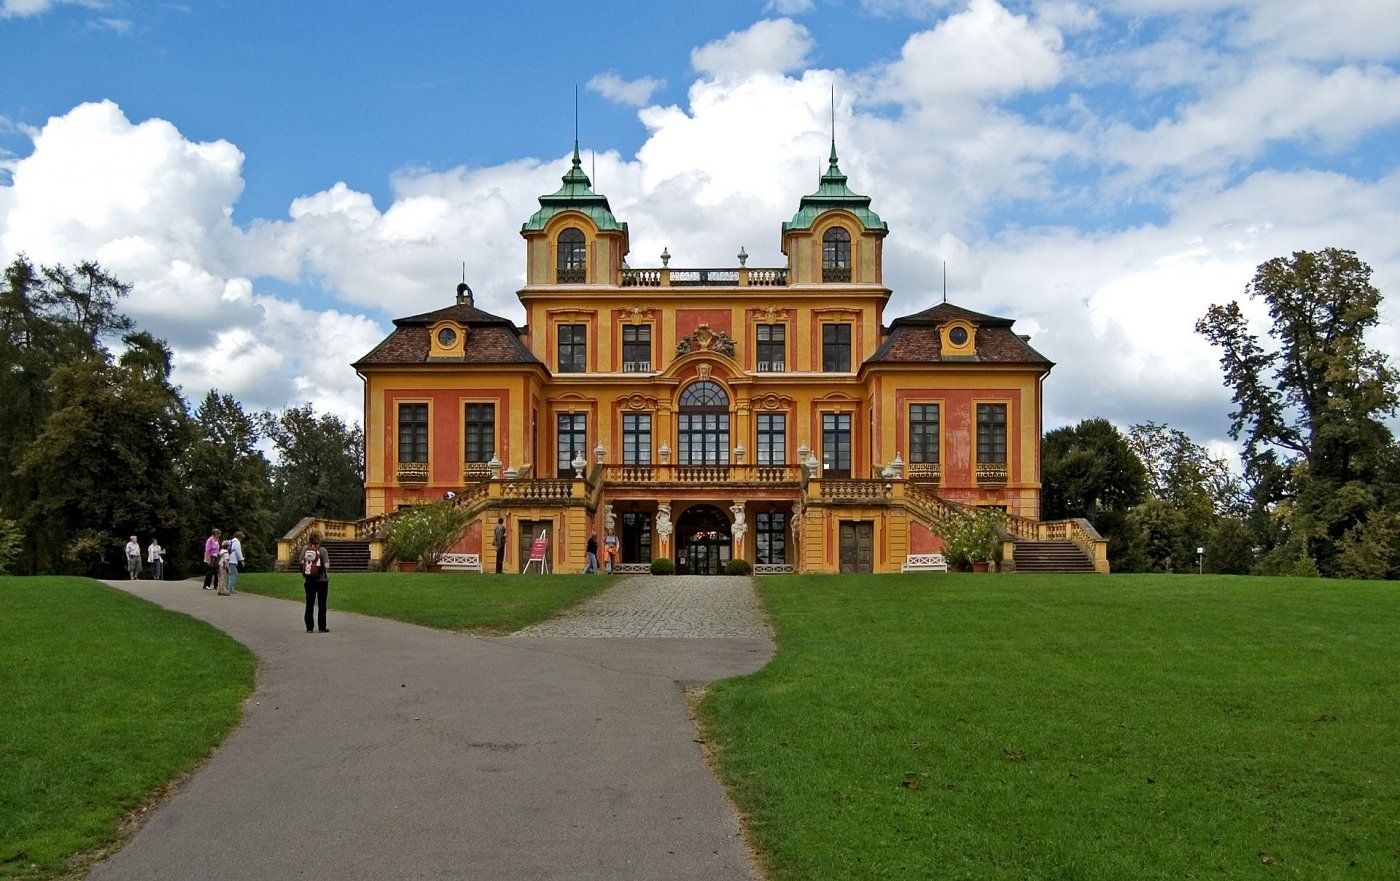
(706, 415)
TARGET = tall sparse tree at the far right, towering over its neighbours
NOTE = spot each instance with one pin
(1311, 405)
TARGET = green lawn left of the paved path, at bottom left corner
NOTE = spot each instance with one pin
(106, 700)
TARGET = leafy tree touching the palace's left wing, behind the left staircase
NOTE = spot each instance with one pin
(320, 467)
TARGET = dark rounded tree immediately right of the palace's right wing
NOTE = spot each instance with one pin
(1091, 471)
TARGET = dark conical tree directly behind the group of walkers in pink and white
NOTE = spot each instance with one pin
(230, 478)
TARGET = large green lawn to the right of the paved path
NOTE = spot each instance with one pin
(1063, 728)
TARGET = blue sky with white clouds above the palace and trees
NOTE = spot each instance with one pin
(279, 181)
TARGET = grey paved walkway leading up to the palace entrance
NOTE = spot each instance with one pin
(391, 751)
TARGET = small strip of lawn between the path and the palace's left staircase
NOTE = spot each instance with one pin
(451, 602)
